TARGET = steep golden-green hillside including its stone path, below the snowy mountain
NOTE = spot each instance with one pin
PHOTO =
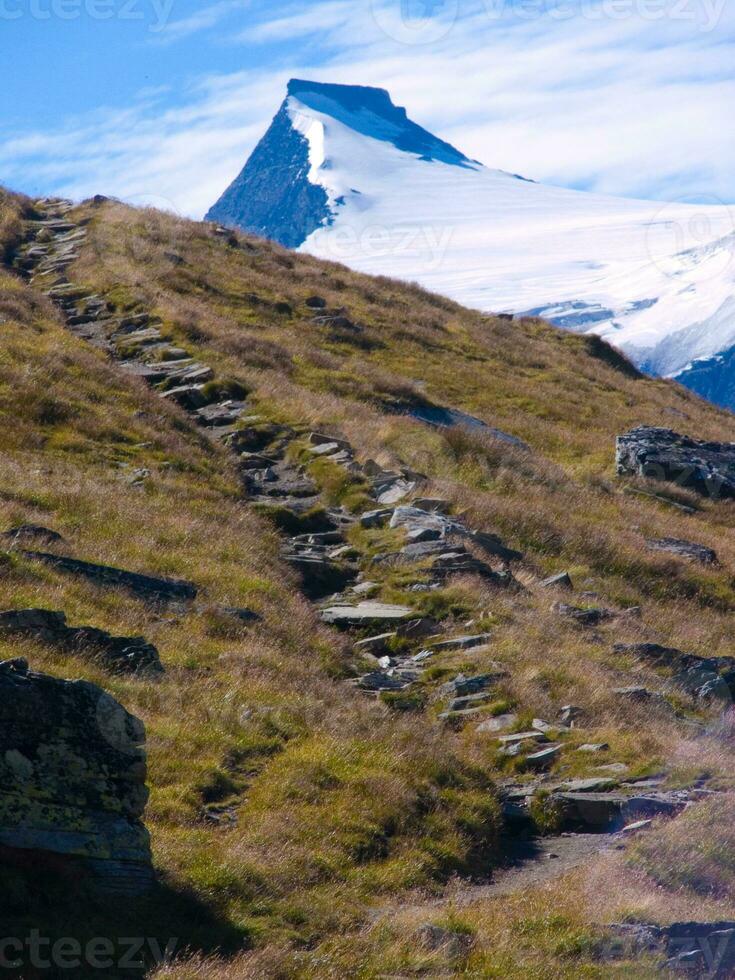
(302, 822)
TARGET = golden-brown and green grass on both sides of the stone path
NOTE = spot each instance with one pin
(343, 804)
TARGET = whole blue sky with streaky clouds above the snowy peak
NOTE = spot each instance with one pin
(161, 101)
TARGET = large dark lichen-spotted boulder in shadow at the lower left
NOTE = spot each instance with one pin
(72, 781)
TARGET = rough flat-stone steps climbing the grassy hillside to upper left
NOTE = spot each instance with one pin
(273, 464)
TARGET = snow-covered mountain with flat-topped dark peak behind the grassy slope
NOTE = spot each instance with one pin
(343, 174)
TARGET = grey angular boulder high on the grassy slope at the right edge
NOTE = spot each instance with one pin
(661, 454)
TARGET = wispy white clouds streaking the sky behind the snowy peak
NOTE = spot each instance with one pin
(628, 105)
